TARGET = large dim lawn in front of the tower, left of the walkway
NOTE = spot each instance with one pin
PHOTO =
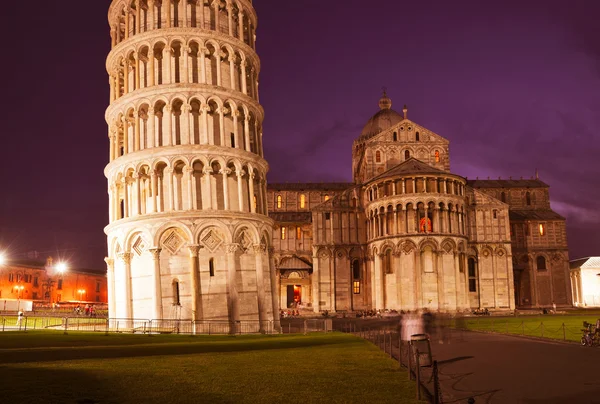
(318, 368)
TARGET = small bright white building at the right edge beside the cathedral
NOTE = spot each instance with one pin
(585, 282)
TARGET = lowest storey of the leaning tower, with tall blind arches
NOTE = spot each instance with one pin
(194, 268)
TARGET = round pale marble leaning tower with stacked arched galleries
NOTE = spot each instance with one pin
(188, 232)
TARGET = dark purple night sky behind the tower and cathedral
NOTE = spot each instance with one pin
(514, 87)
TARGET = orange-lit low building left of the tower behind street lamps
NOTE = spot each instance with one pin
(42, 283)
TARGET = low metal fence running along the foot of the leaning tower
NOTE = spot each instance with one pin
(160, 326)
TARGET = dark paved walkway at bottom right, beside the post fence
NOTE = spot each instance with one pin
(495, 368)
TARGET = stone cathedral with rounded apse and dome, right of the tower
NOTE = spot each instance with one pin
(408, 234)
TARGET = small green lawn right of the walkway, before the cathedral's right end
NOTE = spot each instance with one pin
(562, 327)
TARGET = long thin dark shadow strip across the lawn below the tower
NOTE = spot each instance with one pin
(12, 356)
